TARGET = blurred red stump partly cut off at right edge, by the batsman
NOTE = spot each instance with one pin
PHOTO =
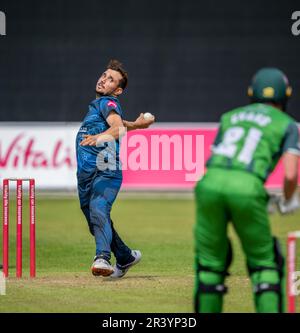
(291, 269)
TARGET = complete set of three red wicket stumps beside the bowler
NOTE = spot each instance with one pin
(19, 196)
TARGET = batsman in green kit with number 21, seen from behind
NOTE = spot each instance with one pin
(250, 141)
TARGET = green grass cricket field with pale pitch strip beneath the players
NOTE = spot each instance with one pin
(162, 282)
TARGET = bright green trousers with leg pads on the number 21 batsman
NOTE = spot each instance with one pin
(239, 197)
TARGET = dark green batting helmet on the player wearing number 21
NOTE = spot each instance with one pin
(270, 85)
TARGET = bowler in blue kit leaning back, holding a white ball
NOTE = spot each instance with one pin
(99, 172)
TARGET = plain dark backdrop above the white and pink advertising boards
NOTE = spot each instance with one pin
(188, 60)
